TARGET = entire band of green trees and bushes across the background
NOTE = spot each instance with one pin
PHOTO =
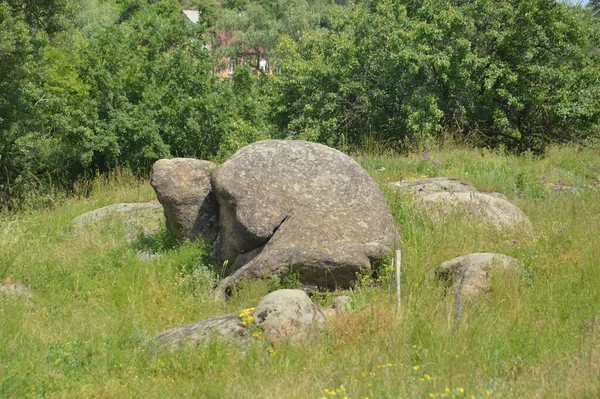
(91, 85)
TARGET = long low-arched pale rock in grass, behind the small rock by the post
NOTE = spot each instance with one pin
(485, 207)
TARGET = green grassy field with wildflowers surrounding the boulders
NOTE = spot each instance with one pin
(96, 304)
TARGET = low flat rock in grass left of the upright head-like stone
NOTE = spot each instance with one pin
(138, 218)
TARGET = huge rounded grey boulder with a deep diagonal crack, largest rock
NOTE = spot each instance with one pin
(302, 206)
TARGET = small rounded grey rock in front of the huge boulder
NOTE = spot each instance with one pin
(288, 315)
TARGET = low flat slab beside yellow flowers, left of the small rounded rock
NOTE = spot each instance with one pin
(227, 327)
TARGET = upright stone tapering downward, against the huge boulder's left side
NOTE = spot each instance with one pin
(183, 187)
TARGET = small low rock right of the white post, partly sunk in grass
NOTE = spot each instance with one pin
(470, 274)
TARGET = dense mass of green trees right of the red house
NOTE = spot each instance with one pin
(517, 73)
